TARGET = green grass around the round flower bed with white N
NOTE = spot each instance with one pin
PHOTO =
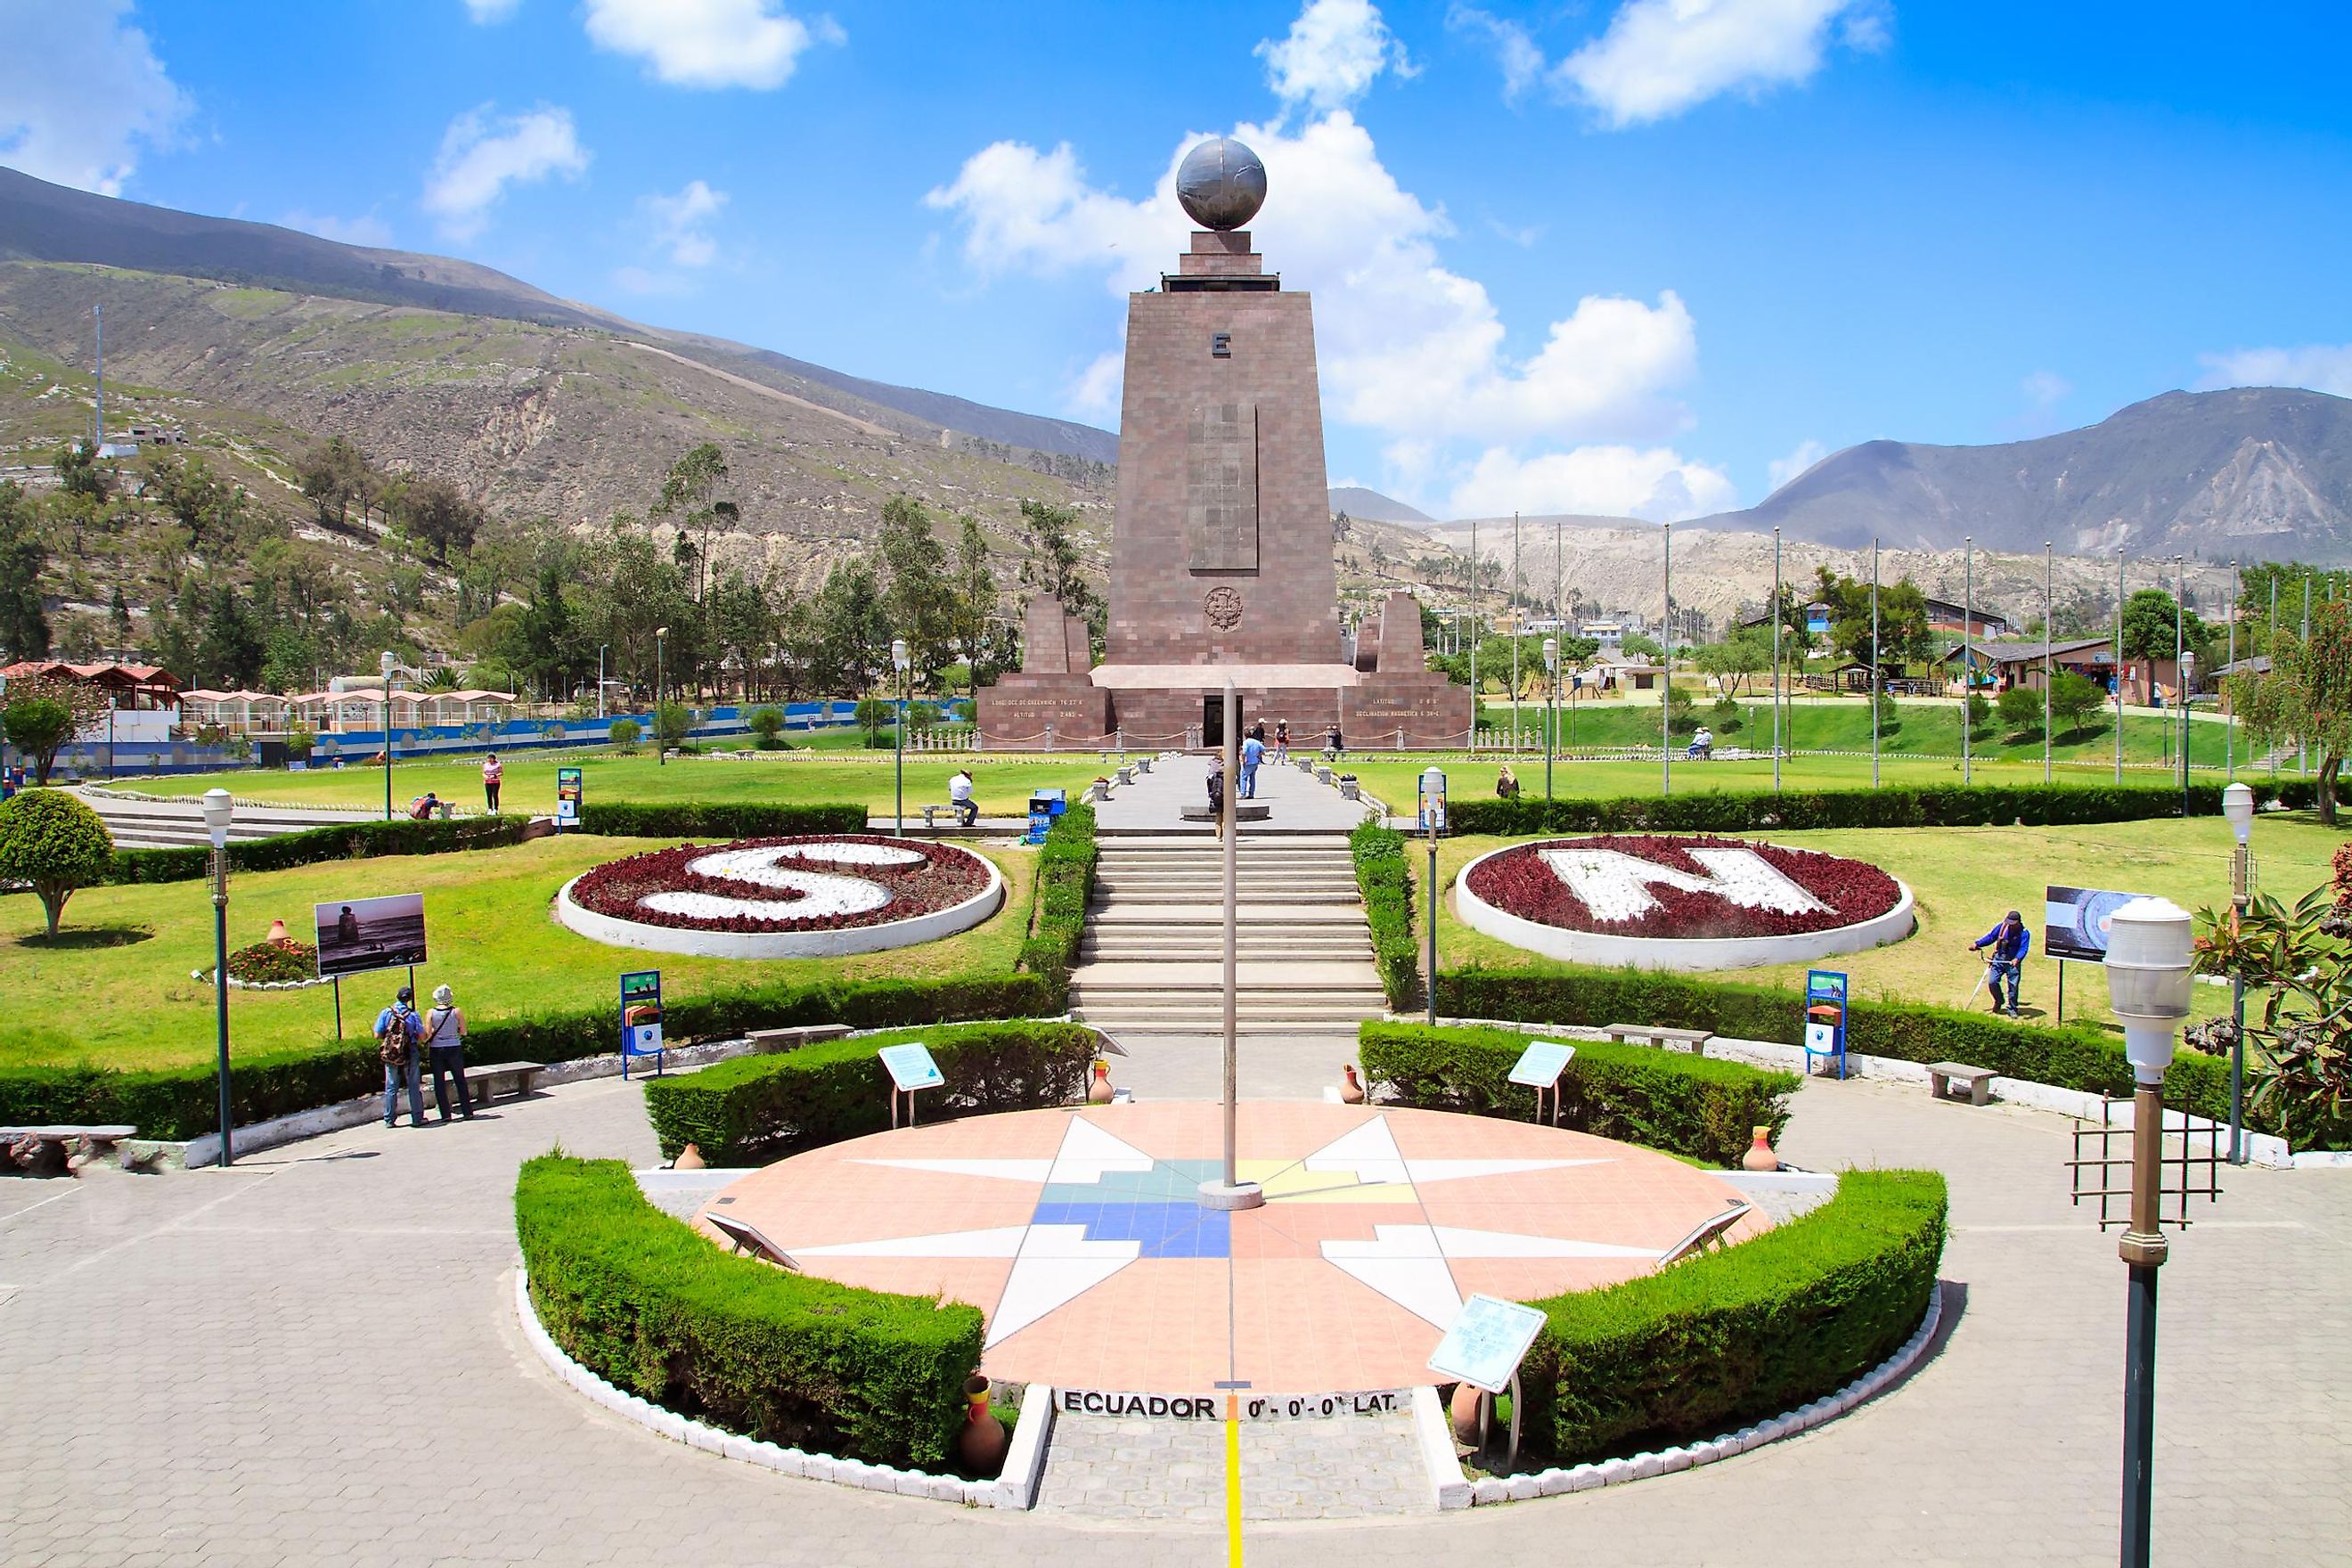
(1965, 880)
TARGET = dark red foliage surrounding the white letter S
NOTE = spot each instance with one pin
(944, 878)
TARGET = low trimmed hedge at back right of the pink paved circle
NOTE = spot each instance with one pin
(1690, 1106)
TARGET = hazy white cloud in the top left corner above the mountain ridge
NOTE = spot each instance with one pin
(81, 93)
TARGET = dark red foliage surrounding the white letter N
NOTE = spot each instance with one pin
(1521, 883)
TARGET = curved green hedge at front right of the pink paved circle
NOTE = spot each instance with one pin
(1742, 1334)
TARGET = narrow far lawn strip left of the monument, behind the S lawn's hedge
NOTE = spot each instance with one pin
(1001, 782)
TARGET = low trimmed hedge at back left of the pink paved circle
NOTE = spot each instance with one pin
(761, 1108)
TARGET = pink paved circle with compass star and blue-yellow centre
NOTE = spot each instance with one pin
(1078, 1235)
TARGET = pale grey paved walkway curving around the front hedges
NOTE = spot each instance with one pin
(312, 1360)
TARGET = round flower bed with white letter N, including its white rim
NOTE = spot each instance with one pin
(1681, 902)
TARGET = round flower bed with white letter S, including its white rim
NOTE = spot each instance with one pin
(817, 894)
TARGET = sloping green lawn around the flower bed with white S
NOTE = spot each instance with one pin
(116, 986)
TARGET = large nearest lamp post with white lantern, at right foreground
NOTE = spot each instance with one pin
(2149, 986)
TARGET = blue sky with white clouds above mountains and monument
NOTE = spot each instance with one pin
(1622, 257)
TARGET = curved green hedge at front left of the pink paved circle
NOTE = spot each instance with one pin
(660, 1311)
